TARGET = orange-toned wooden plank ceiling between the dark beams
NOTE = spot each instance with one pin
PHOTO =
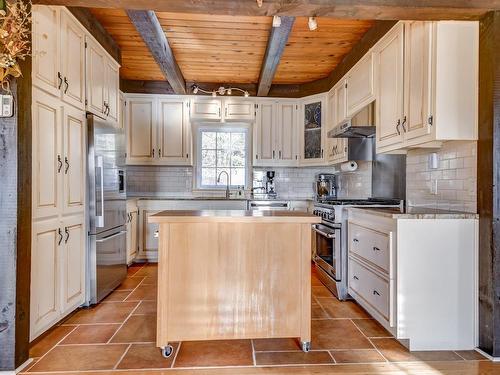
(231, 49)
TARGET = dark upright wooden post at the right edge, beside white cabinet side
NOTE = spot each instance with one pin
(488, 184)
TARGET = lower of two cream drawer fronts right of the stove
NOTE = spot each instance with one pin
(371, 287)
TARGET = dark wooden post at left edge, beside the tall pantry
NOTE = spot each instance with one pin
(15, 226)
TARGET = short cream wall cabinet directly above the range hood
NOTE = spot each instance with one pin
(360, 83)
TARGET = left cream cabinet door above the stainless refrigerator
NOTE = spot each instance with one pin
(95, 77)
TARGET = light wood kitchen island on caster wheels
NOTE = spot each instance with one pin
(233, 274)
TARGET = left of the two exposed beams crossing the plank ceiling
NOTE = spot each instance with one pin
(148, 26)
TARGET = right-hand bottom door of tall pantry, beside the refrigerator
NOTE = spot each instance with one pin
(73, 266)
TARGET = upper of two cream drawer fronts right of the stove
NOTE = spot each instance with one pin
(370, 245)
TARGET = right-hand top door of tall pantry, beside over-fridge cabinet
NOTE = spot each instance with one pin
(73, 61)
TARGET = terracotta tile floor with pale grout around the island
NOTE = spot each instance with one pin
(119, 334)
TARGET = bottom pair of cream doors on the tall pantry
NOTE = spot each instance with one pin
(57, 270)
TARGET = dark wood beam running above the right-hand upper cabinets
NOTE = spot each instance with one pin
(368, 40)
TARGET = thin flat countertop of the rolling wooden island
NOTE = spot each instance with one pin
(202, 216)
